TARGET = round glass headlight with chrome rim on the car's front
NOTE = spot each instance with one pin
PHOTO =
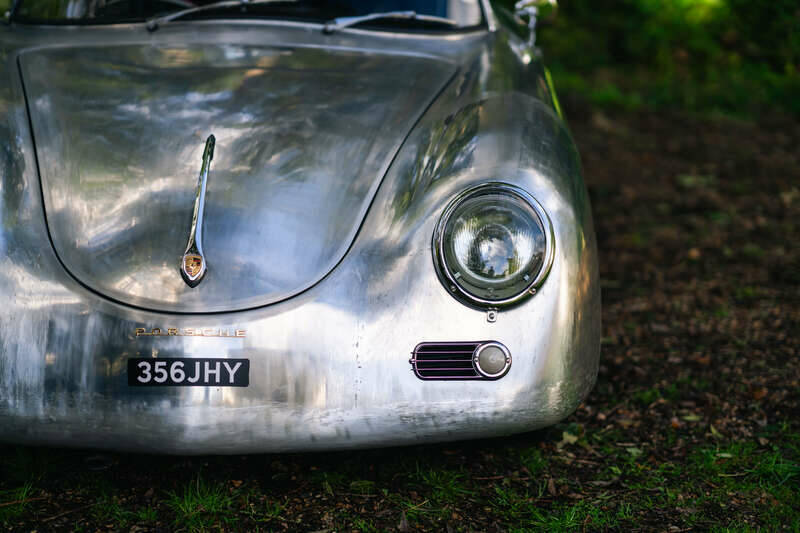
(493, 245)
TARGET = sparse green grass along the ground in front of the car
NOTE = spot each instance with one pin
(740, 474)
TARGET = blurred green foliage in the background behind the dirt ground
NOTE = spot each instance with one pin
(738, 57)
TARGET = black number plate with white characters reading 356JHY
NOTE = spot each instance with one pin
(188, 372)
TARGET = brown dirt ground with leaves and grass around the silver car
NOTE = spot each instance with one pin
(694, 423)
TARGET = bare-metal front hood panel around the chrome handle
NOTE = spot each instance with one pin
(303, 138)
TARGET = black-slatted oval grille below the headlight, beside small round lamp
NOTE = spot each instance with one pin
(447, 360)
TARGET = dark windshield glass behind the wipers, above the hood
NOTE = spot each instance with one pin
(464, 13)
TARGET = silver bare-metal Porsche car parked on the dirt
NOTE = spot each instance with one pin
(286, 225)
